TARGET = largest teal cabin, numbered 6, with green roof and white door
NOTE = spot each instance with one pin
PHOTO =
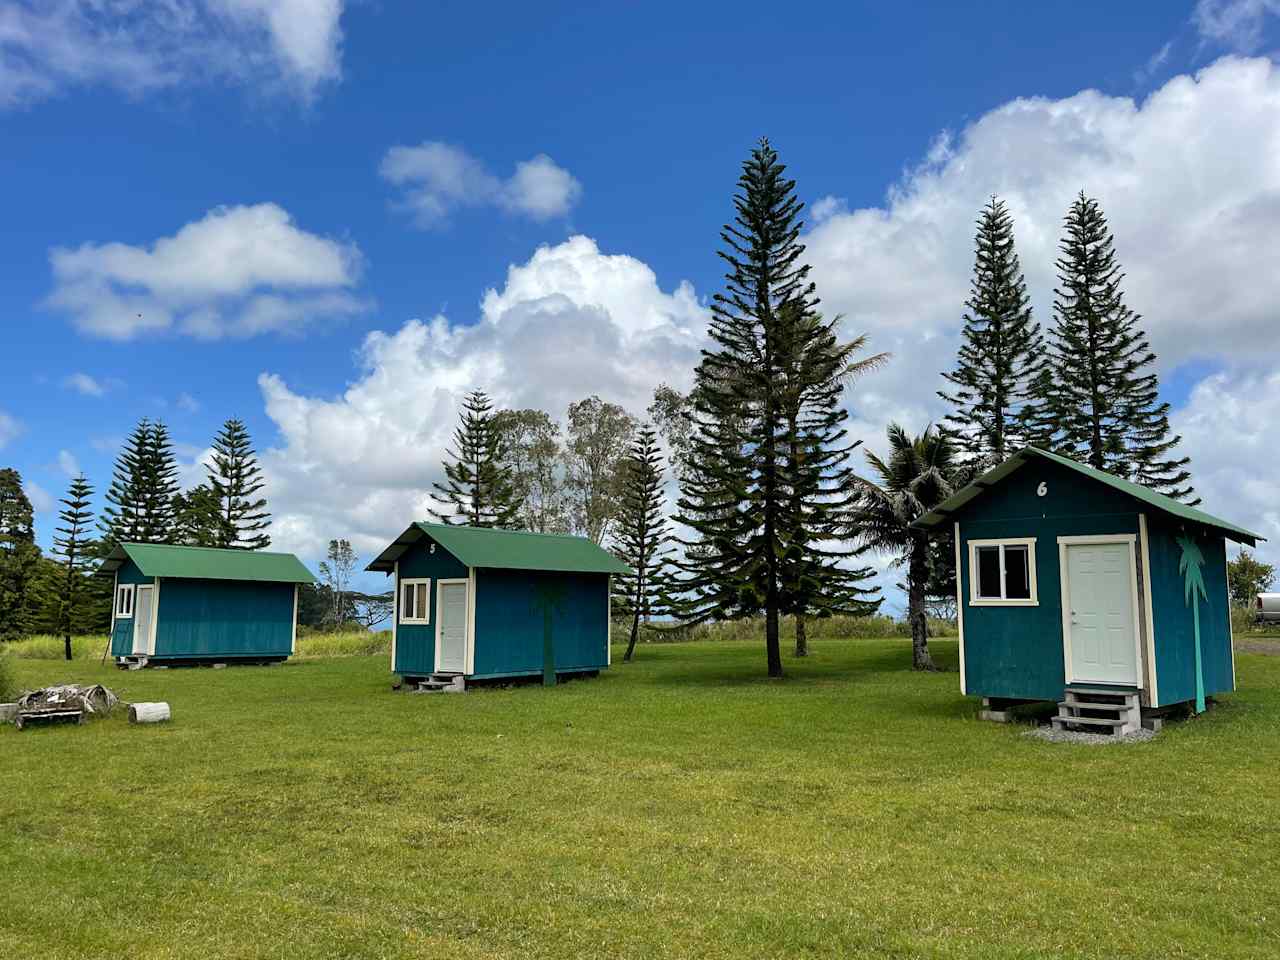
(1069, 578)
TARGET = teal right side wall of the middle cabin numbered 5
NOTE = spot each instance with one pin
(510, 621)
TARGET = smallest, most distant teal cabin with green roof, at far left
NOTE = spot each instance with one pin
(200, 605)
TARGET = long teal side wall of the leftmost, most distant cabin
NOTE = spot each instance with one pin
(220, 619)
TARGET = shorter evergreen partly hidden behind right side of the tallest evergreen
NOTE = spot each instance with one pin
(820, 481)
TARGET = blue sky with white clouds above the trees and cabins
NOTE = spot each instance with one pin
(268, 131)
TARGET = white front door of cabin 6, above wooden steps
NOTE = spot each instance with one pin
(1100, 593)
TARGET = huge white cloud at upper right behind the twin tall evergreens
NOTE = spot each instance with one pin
(1190, 184)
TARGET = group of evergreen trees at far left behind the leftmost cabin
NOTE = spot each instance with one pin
(58, 593)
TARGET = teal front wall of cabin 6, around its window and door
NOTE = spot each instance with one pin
(1017, 652)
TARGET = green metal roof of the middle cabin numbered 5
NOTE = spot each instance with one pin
(506, 550)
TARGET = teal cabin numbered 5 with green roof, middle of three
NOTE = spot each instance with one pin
(496, 605)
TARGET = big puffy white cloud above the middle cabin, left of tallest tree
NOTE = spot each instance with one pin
(569, 323)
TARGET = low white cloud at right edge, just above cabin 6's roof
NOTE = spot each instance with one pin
(1228, 427)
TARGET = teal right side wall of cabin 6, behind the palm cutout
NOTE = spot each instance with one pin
(1176, 625)
